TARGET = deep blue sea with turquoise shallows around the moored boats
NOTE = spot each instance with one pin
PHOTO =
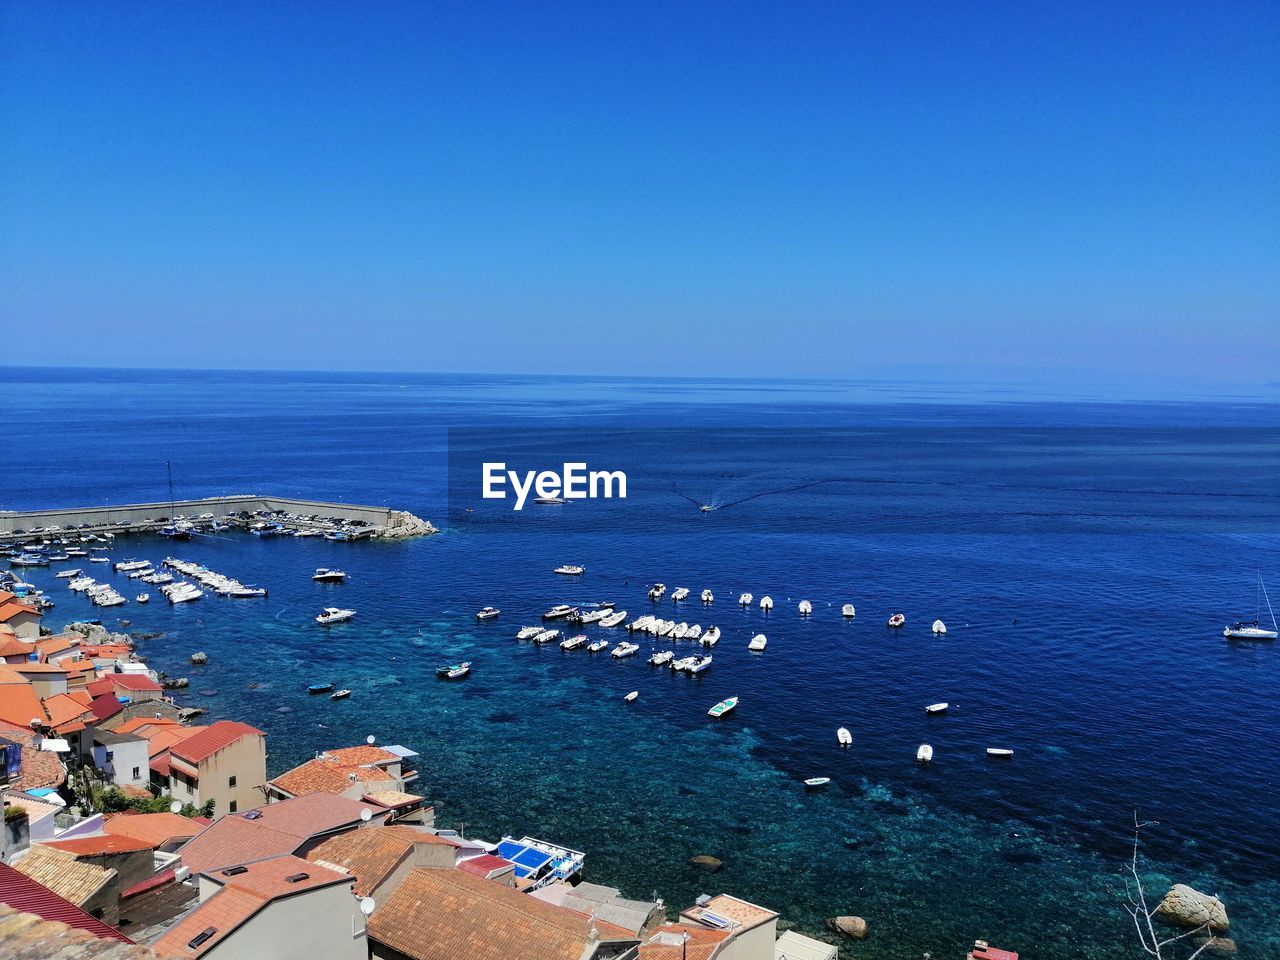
(1085, 550)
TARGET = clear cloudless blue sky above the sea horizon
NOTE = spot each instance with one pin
(653, 189)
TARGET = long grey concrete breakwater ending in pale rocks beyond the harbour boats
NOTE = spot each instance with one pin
(239, 510)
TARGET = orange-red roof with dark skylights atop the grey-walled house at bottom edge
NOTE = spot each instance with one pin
(241, 898)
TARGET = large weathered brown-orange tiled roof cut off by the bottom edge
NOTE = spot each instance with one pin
(479, 920)
